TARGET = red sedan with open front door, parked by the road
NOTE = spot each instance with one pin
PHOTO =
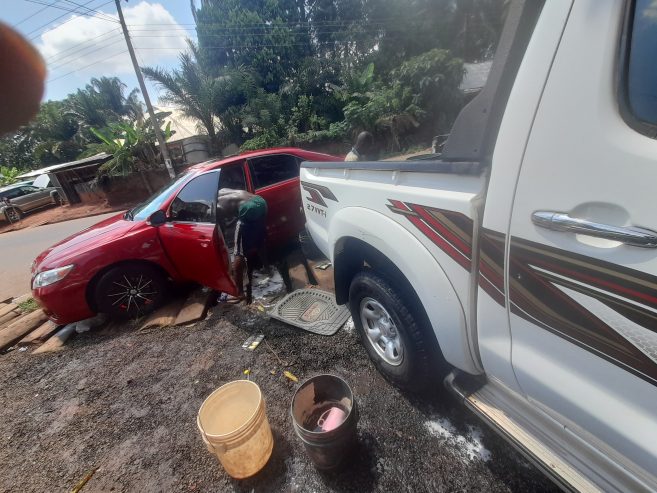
(123, 266)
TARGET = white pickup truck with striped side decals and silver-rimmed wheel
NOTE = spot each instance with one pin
(522, 261)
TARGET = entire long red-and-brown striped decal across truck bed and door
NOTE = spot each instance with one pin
(607, 309)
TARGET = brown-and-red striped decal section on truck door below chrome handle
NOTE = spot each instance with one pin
(605, 308)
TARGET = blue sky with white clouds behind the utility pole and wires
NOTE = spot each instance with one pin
(79, 46)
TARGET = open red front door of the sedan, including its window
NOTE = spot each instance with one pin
(191, 237)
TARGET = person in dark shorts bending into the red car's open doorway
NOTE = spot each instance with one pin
(250, 234)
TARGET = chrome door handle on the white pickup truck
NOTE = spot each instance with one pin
(630, 235)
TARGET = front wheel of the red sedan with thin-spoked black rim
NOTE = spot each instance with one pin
(130, 291)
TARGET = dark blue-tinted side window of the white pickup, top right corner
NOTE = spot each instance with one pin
(641, 68)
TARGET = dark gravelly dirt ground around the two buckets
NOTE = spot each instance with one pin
(125, 402)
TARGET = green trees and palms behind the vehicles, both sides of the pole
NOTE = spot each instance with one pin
(270, 72)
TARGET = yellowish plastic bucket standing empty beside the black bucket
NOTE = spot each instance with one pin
(234, 427)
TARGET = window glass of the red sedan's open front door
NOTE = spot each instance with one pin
(196, 201)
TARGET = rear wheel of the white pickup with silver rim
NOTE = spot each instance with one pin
(391, 333)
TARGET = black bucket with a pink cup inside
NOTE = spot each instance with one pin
(324, 415)
